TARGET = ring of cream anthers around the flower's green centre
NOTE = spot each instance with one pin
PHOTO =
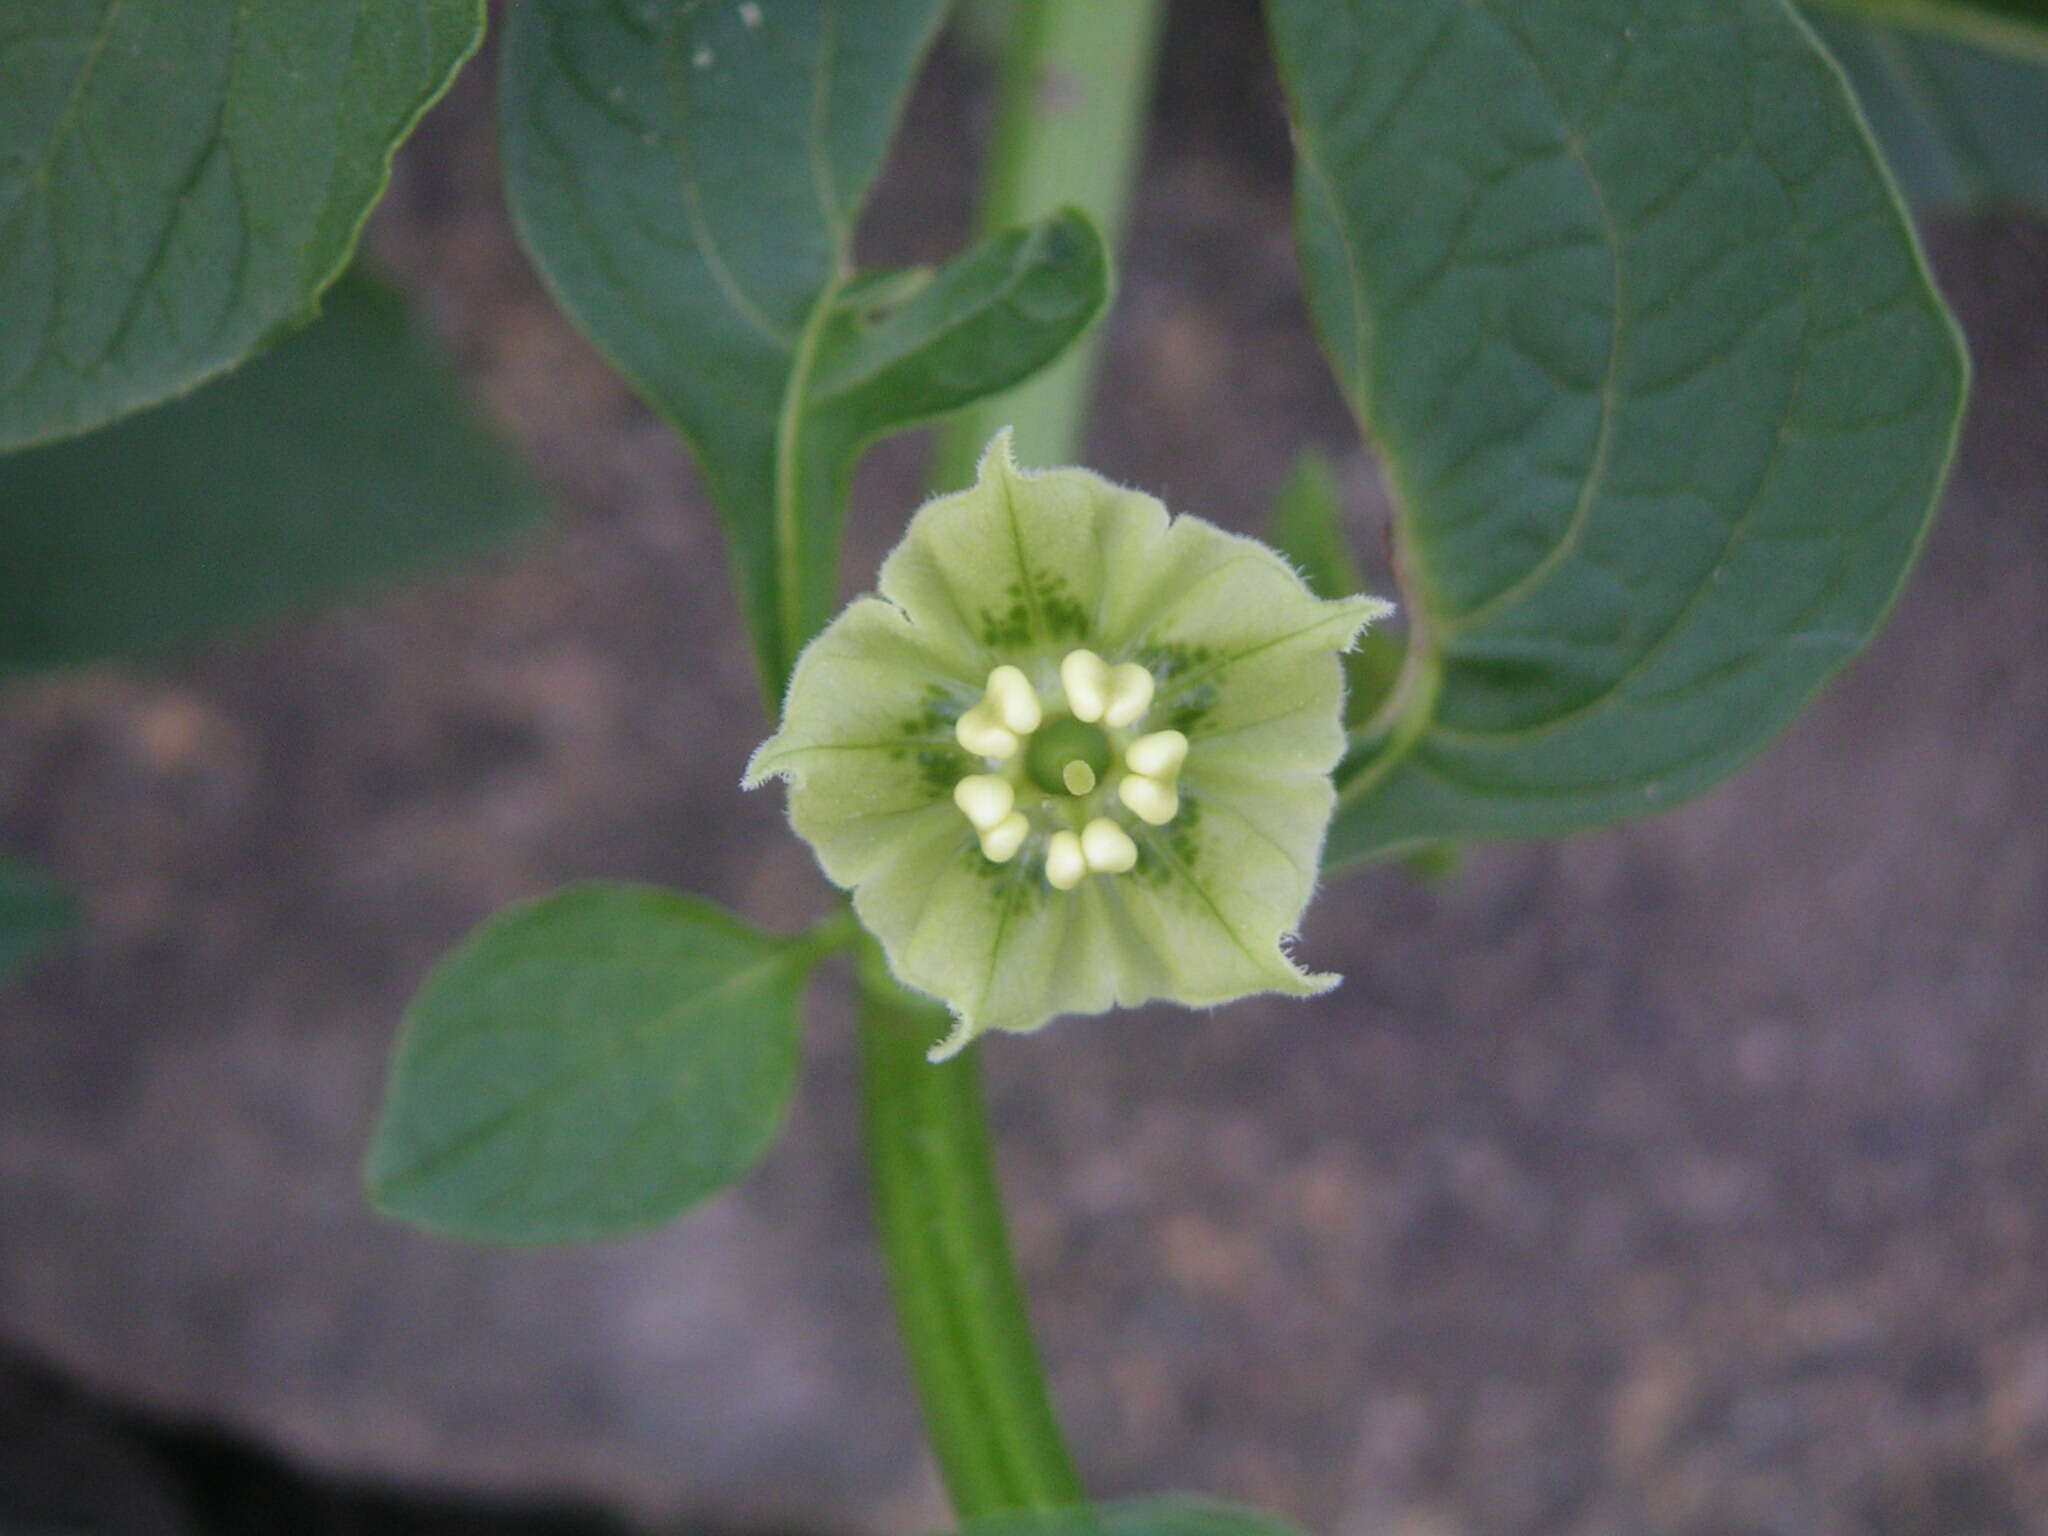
(1068, 765)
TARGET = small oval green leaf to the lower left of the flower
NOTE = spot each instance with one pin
(587, 1066)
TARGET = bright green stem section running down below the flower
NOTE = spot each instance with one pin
(959, 1304)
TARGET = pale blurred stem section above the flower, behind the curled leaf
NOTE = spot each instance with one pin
(1076, 87)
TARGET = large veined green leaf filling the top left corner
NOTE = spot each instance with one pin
(179, 181)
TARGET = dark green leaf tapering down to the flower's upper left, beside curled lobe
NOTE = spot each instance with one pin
(689, 177)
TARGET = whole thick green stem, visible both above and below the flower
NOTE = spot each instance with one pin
(1074, 99)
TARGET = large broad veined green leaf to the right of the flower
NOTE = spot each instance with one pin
(1662, 388)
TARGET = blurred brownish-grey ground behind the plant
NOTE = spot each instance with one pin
(1682, 1179)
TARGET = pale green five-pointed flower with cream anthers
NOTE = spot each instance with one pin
(1074, 757)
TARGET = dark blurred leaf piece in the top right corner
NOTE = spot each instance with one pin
(1963, 130)
